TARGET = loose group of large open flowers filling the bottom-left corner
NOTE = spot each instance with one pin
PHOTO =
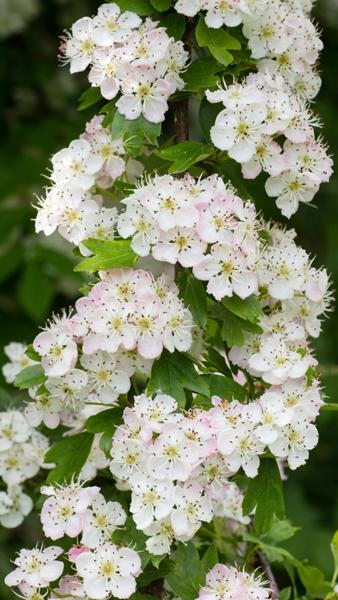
(102, 568)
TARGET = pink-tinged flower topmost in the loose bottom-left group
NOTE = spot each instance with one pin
(63, 512)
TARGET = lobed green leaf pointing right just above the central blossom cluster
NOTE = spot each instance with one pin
(184, 155)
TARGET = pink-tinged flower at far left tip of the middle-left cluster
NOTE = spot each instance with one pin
(56, 347)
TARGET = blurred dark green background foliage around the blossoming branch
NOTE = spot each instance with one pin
(38, 117)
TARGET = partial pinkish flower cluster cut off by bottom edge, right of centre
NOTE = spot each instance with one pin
(224, 582)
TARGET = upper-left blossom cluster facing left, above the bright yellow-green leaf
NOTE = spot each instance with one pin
(72, 204)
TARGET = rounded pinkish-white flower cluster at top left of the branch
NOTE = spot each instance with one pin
(135, 59)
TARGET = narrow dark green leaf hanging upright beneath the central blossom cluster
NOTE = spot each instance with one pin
(194, 296)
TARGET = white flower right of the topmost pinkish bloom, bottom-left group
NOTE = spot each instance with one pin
(100, 521)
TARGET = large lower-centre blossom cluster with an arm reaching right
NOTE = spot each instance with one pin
(177, 464)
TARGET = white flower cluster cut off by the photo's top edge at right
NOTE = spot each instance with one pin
(281, 37)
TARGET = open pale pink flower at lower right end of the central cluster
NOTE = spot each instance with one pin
(227, 271)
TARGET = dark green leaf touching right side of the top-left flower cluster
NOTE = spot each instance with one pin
(202, 73)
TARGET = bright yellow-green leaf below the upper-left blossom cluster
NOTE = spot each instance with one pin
(109, 254)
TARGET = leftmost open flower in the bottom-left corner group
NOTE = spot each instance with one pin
(36, 567)
